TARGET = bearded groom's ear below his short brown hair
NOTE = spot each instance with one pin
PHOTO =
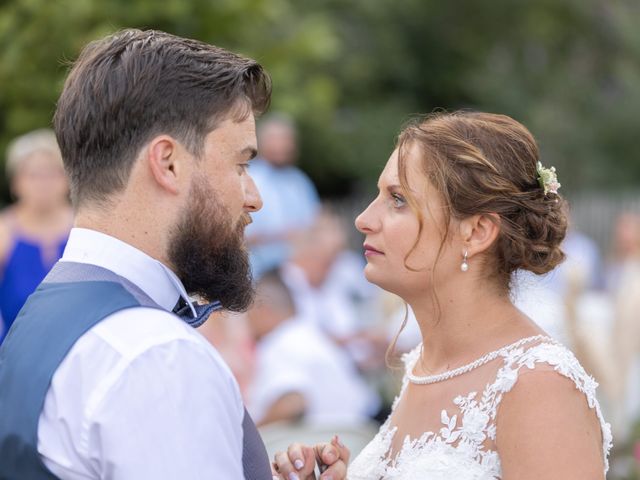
(166, 160)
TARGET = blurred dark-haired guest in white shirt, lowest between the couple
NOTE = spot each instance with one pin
(300, 373)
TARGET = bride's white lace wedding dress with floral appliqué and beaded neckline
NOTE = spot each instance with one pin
(461, 443)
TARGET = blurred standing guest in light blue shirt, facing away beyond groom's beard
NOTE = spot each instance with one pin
(289, 197)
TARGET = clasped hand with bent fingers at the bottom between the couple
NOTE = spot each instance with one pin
(299, 461)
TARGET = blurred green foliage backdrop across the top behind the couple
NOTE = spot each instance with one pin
(353, 72)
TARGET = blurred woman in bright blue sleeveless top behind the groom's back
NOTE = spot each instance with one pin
(34, 230)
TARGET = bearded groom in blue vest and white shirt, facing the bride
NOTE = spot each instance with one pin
(156, 133)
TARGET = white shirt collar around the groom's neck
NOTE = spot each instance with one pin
(153, 277)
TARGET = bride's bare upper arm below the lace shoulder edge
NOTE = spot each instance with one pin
(546, 430)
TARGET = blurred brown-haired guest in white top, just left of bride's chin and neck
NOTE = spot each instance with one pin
(326, 282)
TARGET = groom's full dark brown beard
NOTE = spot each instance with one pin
(208, 253)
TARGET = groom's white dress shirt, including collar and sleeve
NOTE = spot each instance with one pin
(141, 395)
